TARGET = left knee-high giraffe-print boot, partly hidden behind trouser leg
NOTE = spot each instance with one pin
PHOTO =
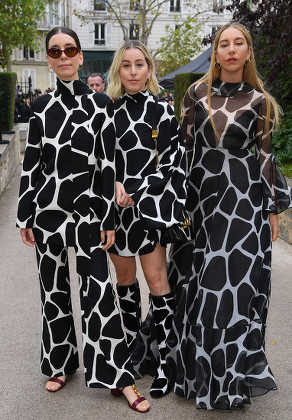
(130, 304)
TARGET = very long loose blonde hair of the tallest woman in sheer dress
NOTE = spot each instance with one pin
(250, 75)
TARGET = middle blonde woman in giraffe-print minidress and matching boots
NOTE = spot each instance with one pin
(150, 196)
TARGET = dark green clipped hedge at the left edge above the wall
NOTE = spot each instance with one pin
(7, 100)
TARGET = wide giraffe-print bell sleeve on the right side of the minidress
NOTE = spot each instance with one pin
(160, 195)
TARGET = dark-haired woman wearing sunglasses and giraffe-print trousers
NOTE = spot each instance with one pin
(67, 199)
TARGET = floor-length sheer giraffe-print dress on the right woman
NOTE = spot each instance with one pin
(222, 278)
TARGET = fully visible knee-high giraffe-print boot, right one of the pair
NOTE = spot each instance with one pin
(162, 308)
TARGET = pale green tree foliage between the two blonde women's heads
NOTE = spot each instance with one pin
(179, 46)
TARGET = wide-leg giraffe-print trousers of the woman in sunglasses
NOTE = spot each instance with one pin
(105, 353)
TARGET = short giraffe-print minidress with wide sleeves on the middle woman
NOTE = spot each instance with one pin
(159, 192)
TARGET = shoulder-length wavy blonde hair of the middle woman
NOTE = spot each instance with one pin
(115, 86)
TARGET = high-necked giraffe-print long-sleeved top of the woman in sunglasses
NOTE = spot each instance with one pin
(66, 191)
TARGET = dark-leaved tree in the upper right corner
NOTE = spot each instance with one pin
(270, 23)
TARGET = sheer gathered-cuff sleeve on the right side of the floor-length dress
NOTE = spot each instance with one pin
(277, 194)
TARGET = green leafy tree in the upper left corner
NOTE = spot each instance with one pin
(18, 26)
